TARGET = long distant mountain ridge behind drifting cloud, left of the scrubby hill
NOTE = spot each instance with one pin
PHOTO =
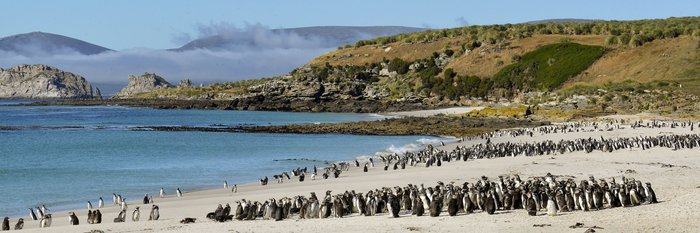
(328, 36)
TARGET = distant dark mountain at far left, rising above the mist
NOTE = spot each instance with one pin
(42, 43)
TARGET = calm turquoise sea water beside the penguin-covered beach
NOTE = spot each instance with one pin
(63, 168)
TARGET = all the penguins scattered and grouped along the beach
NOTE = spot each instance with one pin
(506, 194)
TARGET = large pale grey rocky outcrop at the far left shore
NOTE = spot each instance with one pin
(42, 82)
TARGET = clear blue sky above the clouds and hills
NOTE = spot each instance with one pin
(156, 23)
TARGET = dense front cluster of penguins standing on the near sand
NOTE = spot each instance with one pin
(536, 195)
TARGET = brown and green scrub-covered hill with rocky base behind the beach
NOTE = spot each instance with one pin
(597, 66)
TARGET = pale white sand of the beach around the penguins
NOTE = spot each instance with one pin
(676, 188)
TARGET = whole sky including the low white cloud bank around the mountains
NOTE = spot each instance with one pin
(141, 30)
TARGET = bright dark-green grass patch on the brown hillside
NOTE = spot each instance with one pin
(548, 67)
